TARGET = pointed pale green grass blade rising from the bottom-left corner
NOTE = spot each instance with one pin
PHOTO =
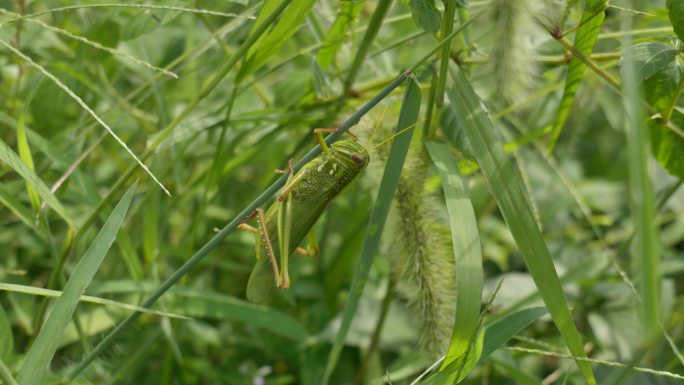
(46, 343)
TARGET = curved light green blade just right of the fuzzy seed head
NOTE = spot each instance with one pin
(467, 254)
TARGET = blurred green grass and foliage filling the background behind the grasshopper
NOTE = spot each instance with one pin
(236, 128)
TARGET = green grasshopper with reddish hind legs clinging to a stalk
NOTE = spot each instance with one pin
(305, 197)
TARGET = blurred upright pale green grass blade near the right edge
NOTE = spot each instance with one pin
(645, 256)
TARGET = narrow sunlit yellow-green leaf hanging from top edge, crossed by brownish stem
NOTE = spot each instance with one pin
(585, 38)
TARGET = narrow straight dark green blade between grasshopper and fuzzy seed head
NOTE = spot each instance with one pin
(390, 178)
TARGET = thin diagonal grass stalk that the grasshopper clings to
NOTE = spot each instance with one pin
(229, 228)
